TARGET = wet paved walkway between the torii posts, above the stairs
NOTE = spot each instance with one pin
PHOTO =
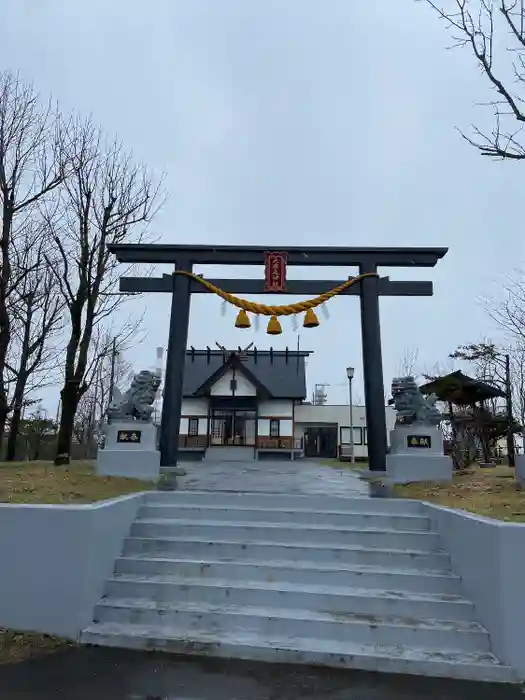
(302, 476)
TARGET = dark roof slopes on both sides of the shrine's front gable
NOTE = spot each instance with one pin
(281, 372)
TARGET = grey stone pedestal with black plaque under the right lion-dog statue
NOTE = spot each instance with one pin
(416, 454)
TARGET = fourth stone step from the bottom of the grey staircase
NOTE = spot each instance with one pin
(289, 572)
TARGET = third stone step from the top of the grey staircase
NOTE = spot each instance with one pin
(292, 533)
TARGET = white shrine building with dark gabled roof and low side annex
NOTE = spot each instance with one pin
(253, 404)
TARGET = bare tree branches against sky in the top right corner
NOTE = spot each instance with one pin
(494, 31)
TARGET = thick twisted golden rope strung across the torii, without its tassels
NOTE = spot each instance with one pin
(284, 309)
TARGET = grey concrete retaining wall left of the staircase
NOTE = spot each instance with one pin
(54, 561)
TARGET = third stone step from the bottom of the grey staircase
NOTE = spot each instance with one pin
(318, 598)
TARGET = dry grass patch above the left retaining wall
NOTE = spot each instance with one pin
(41, 482)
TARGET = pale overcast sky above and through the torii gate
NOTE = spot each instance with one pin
(293, 122)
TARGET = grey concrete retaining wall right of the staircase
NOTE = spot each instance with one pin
(489, 555)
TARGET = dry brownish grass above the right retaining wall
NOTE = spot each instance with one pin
(490, 492)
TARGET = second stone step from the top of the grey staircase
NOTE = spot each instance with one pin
(335, 519)
